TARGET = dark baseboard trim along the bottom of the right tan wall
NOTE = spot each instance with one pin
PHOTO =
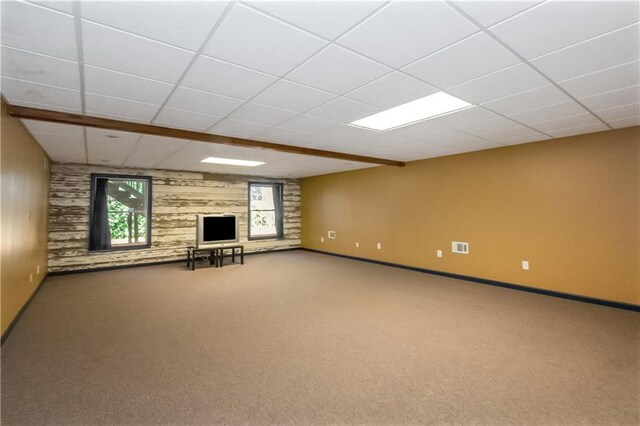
(519, 287)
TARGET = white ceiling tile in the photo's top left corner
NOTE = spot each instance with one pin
(31, 27)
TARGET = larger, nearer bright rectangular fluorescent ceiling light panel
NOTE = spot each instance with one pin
(421, 109)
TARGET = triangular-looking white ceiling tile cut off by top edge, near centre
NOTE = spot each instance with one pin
(327, 19)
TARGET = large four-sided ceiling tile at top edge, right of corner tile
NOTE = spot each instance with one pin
(184, 24)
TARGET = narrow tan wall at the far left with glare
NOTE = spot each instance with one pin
(23, 210)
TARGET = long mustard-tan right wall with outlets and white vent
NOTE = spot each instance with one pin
(569, 206)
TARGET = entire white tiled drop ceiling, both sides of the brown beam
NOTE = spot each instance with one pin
(298, 73)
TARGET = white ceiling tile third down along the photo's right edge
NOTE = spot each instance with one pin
(618, 77)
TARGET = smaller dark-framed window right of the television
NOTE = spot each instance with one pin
(265, 210)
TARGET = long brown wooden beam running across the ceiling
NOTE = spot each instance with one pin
(149, 129)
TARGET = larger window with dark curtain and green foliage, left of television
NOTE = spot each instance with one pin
(120, 212)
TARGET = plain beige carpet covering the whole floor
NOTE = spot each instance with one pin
(305, 338)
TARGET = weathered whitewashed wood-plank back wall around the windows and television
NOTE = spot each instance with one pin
(177, 198)
